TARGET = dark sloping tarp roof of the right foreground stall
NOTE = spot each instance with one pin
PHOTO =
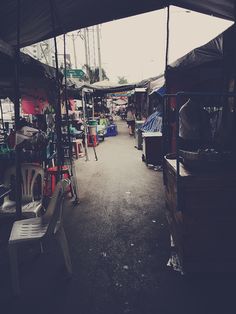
(205, 67)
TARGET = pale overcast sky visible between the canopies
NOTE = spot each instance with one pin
(135, 47)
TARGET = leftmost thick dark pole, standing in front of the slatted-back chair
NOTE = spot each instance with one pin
(18, 192)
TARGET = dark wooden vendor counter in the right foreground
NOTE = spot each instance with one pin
(204, 230)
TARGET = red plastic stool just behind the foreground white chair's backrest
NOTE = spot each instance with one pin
(52, 172)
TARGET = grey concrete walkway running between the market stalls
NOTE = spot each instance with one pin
(119, 244)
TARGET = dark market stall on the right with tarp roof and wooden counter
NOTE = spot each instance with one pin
(199, 173)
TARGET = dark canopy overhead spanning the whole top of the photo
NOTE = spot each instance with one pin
(36, 23)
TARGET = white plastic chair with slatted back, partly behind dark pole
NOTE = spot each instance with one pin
(29, 175)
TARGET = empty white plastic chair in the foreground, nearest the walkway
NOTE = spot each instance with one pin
(40, 229)
